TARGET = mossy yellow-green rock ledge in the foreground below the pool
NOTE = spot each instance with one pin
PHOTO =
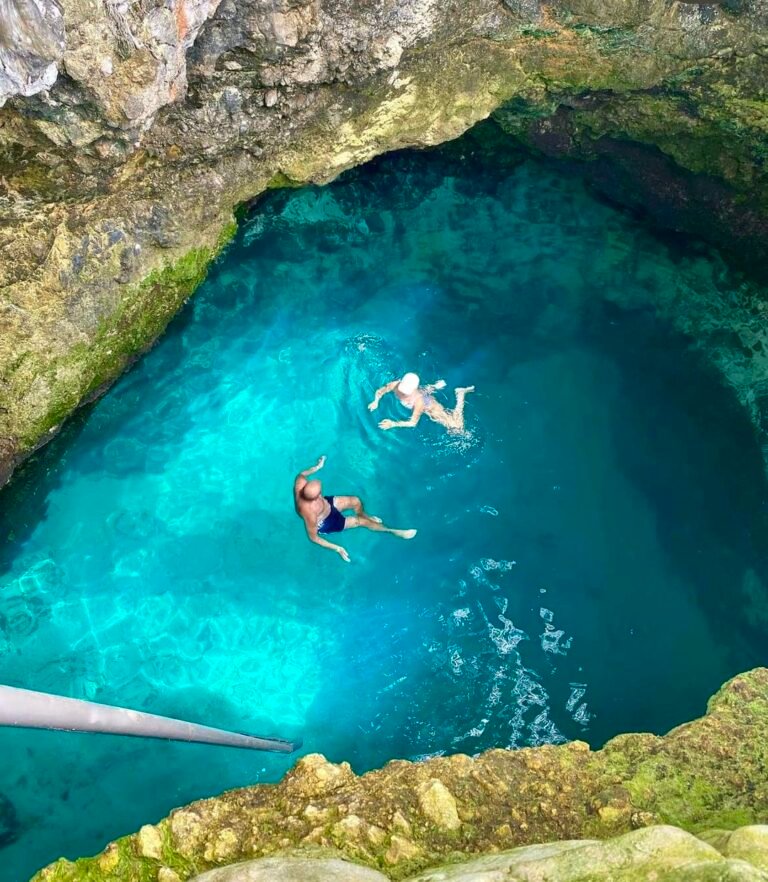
(706, 777)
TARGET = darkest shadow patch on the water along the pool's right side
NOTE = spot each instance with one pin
(693, 488)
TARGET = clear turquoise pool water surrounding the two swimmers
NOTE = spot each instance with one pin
(591, 557)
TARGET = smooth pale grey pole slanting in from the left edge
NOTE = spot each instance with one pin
(39, 710)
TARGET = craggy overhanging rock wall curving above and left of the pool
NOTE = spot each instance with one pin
(131, 129)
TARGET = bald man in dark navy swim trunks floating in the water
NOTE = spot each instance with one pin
(323, 514)
